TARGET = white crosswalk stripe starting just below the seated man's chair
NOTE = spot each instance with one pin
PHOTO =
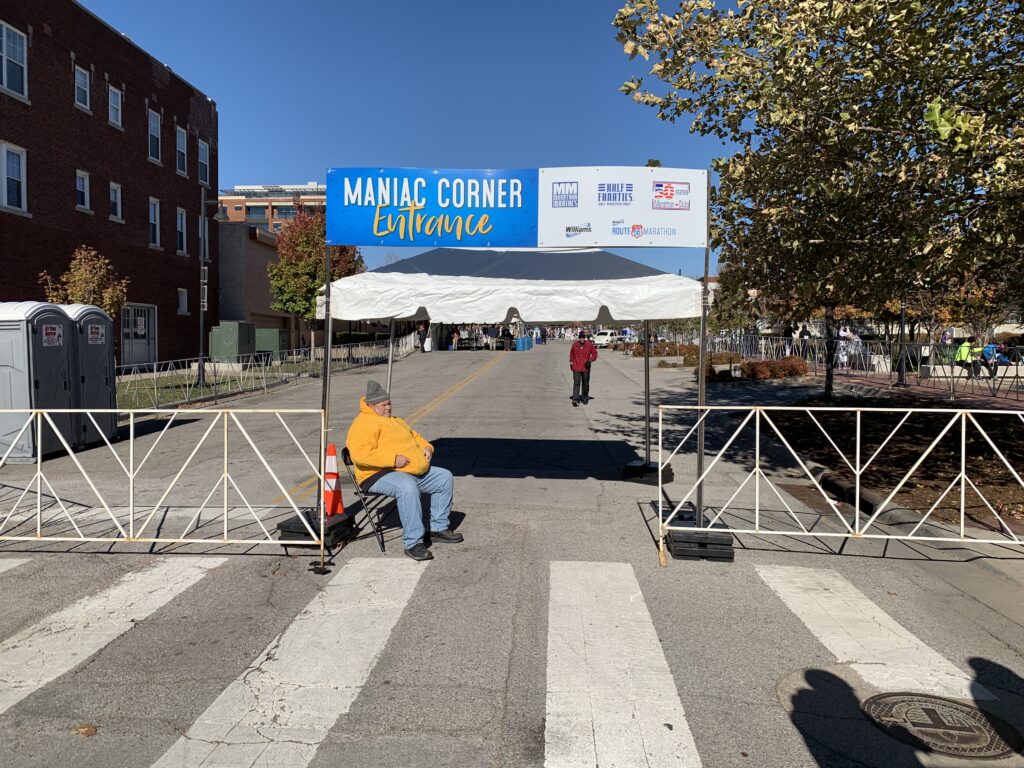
(280, 710)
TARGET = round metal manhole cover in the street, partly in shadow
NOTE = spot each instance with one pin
(947, 727)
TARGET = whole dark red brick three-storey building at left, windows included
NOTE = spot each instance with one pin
(101, 145)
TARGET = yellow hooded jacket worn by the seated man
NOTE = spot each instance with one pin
(375, 441)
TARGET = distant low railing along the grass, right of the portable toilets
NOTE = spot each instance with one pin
(172, 383)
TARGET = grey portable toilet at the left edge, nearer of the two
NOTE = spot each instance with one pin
(35, 374)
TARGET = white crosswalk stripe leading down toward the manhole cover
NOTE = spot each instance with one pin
(860, 633)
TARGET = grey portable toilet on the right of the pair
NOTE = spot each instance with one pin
(94, 380)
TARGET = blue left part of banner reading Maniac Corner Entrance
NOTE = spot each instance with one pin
(426, 207)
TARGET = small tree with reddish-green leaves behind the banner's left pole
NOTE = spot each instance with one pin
(297, 278)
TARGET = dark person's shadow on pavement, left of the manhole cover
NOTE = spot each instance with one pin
(838, 735)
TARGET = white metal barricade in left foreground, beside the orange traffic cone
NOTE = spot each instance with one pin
(198, 477)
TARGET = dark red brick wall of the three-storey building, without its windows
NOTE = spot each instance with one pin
(60, 139)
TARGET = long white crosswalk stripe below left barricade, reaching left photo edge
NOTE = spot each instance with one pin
(42, 653)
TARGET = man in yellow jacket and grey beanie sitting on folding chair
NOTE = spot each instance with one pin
(394, 459)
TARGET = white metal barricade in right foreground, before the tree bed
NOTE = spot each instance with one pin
(977, 454)
